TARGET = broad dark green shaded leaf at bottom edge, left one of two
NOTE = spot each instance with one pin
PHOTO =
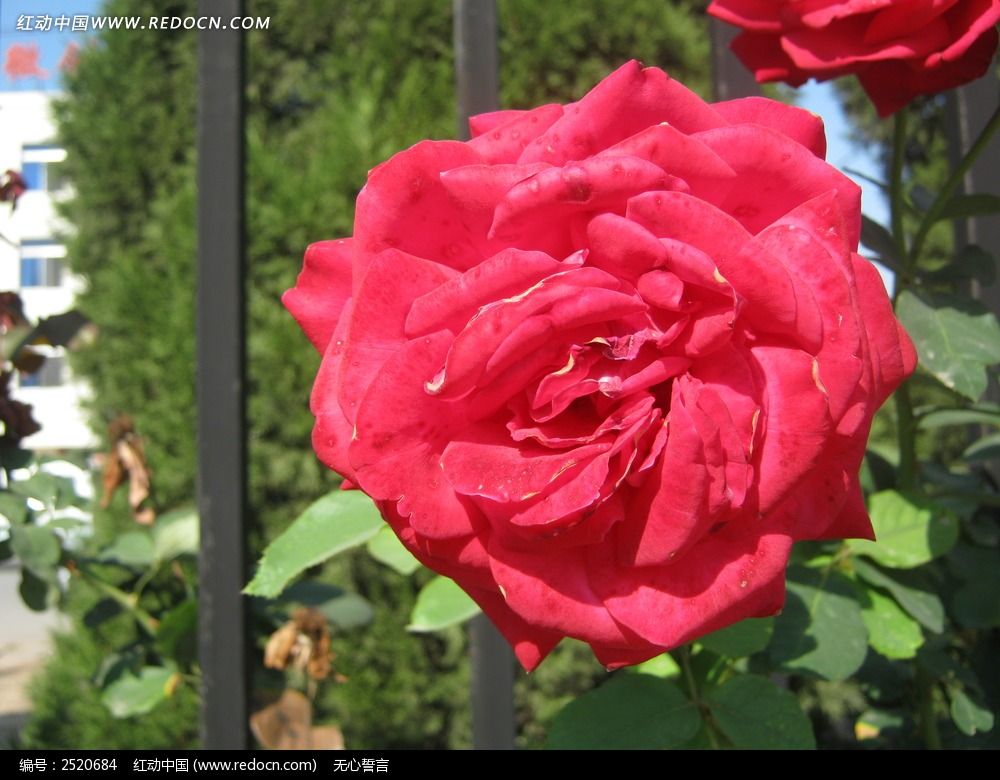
(628, 712)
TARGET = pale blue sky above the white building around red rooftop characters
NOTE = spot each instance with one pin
(51, 44)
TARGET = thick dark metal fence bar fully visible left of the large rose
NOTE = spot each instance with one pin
(223, 645)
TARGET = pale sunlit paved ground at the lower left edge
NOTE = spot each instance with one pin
(24, 645)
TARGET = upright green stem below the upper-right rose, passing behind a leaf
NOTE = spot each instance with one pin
(906, 426)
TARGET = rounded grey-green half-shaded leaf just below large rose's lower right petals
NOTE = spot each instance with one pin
(820, 629)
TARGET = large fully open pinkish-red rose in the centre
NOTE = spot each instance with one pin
(605, 362)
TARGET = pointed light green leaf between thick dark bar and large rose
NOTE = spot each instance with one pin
(339, 521)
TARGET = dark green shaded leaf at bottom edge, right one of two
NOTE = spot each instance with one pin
(758, 715)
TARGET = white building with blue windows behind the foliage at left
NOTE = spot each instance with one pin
(32, 262)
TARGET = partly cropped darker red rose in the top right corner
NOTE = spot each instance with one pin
(899, 49)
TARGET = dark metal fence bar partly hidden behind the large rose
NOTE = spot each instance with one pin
(477, 74)
